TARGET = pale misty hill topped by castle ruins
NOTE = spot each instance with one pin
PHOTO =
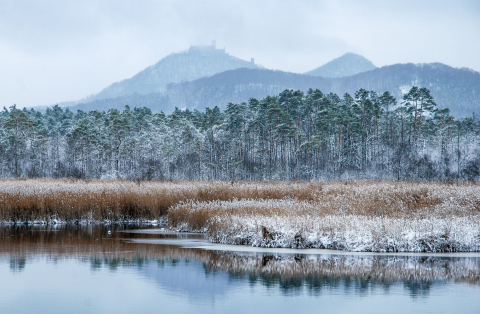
(196, 62)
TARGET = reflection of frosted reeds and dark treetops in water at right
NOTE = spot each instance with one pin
(359, 274)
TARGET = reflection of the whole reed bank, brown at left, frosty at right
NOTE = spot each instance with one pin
(94, 245)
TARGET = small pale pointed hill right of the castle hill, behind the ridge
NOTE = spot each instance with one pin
(346, 65)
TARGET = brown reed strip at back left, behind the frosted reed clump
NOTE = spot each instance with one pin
(52, 201)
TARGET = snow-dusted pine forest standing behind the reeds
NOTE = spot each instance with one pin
(292, 136)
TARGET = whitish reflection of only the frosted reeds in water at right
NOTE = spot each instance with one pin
(384, 269)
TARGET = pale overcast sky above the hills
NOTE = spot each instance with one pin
(54, 51)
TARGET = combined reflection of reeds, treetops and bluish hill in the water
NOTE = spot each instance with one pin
(199, 273)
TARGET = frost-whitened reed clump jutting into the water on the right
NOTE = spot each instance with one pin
(365, 216)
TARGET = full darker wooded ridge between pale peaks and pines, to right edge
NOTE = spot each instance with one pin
(457, 89)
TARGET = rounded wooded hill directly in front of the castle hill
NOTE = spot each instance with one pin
(217, 90)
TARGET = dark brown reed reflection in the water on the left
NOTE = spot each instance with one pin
(79, 242)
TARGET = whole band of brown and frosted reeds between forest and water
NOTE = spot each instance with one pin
(357, 216)
